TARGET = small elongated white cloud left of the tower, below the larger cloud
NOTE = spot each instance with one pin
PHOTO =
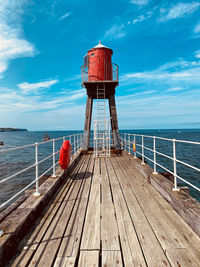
(29, 87)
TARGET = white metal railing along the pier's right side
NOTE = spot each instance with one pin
(129, 141)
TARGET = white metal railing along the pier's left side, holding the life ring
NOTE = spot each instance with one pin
(76, 141)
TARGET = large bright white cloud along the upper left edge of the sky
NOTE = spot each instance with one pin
(12, 44)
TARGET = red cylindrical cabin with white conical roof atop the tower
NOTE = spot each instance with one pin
(100, 64)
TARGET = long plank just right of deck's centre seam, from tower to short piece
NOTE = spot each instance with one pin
(109, 231)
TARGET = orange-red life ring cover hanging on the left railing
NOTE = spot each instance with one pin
(65, 153)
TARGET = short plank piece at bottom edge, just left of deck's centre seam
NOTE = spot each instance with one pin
(89, 259)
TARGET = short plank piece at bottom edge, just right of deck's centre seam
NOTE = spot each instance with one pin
(111, 259)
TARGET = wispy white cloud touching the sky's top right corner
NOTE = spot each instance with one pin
(178, 11)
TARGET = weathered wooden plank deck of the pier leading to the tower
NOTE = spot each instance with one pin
(107, 214)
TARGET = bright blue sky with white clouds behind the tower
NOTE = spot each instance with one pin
(156, 45)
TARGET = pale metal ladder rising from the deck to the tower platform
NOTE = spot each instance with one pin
(101, 126)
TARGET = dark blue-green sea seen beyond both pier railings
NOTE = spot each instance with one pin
(14, 161)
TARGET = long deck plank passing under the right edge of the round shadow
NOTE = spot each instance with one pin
(72, 237)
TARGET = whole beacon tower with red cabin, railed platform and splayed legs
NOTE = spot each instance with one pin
(100, 78)
